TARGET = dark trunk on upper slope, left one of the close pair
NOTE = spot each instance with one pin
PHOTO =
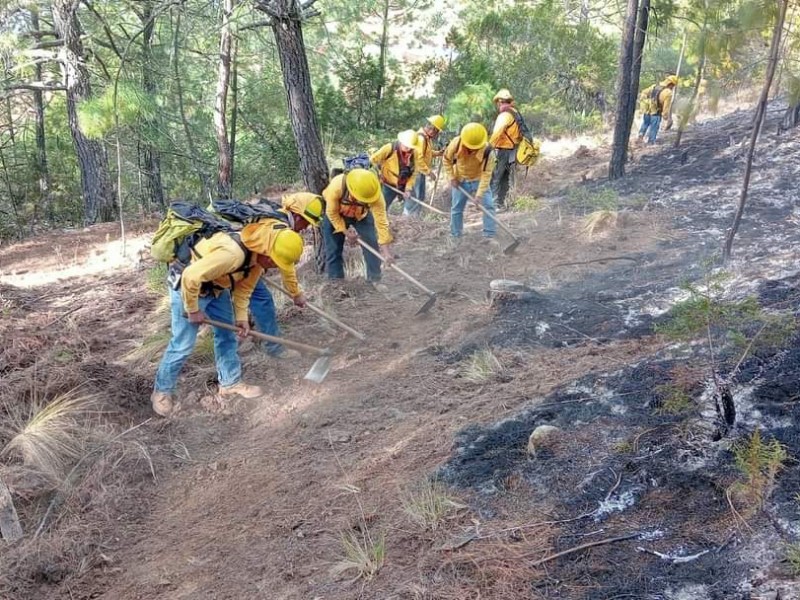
(619, 152)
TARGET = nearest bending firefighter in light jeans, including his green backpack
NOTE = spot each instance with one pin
(213, 271)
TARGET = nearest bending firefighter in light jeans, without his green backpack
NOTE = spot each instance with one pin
(218, 282)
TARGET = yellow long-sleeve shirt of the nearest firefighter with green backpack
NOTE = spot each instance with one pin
(219, 259)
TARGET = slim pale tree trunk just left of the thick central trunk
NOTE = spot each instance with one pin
(224, 158)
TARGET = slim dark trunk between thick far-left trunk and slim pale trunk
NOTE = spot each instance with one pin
(150, 156)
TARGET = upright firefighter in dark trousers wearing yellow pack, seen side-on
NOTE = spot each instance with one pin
(506, 135)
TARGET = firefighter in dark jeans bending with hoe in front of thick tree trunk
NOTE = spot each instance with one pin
(354, 207)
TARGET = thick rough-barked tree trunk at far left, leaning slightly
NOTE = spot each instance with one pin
(98, 196)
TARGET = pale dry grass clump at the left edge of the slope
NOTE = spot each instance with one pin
(51, 436)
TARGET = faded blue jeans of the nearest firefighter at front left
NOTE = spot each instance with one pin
(184, 334)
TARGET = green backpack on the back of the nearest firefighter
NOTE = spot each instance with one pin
(184, 226)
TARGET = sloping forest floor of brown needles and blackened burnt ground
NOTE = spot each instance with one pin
(414, 449)
